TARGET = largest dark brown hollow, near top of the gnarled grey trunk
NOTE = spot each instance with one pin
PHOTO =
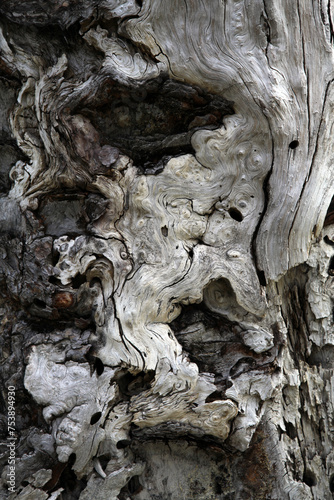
(159, 124)
